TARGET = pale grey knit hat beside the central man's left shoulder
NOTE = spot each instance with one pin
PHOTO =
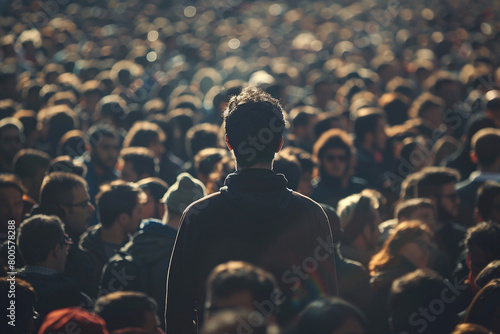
(183, 192)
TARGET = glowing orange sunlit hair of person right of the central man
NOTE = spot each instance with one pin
(404, 233)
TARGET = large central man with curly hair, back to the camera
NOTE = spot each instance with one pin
(254, 218)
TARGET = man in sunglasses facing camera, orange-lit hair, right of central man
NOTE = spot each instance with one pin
(334, 153)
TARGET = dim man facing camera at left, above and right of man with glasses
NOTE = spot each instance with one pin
(101, 163)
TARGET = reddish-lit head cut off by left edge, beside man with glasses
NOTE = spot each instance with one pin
(11, 200)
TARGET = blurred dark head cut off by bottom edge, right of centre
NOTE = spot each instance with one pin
(331, 316)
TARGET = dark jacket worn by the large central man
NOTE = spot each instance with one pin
(254, 218)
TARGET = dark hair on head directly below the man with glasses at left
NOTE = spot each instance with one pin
(37, 236)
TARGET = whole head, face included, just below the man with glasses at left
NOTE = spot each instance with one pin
(42, 242)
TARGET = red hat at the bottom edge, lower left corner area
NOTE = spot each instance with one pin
(86, 322)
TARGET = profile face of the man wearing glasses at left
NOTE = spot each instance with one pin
(79, 212)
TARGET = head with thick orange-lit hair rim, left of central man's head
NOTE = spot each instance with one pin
(146, 134)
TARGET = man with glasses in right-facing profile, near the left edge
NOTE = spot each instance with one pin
(65, 195)
